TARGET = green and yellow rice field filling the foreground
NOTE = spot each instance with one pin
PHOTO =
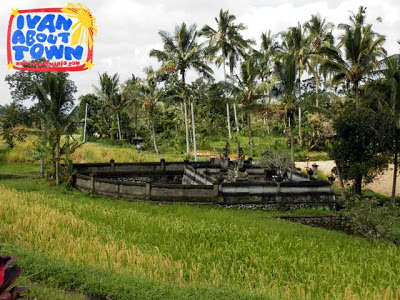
(134, 250)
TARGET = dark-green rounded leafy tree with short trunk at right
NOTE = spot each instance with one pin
(361, 146)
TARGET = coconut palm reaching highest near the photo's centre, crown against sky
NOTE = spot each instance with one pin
(226, 44)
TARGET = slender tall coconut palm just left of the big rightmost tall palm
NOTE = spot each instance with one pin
(319, 34)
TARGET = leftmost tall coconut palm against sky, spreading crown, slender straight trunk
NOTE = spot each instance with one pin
(181, 53)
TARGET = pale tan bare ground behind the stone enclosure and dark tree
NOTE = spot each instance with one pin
(382, 184)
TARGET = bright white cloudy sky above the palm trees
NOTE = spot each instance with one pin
(128, 29)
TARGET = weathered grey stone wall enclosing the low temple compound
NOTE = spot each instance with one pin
(199, 186)
